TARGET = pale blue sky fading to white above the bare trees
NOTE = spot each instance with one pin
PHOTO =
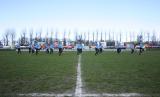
(125, 16)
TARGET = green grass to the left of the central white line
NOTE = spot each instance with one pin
(42, 73)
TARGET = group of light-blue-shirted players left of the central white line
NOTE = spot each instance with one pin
(36, 47)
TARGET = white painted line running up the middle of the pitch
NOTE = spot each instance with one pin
(78, 90)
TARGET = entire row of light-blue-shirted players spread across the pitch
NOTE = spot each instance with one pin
(98, 48)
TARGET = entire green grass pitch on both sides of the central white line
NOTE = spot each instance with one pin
(106, 73)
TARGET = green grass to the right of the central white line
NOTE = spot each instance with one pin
(123, 73)
